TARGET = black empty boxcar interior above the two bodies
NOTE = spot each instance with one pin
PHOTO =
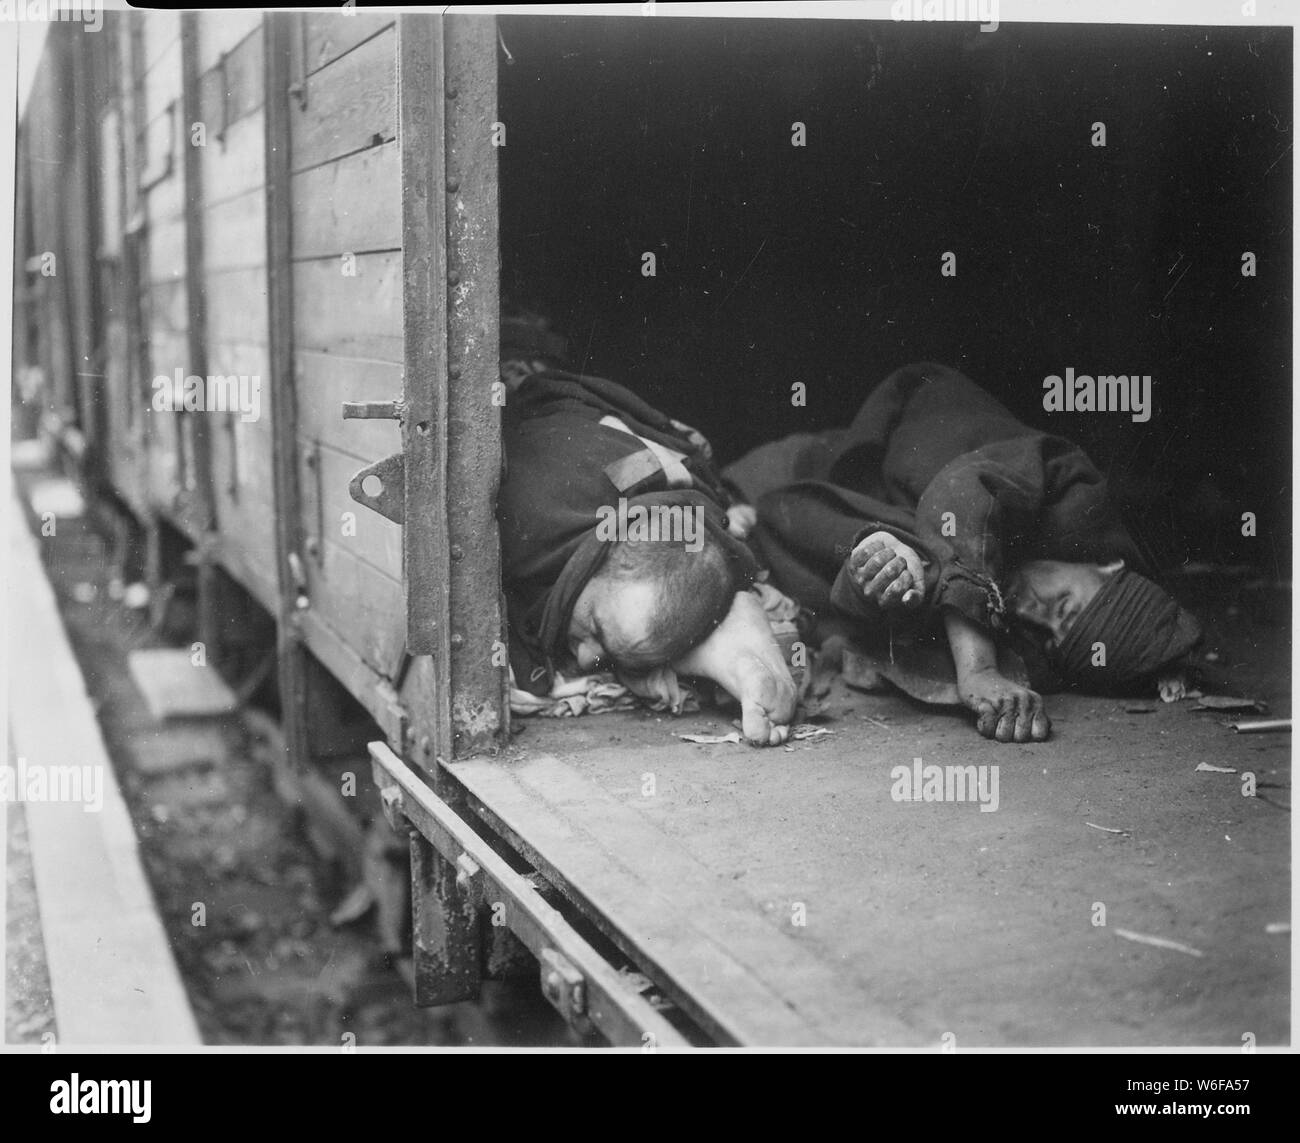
(822, 263)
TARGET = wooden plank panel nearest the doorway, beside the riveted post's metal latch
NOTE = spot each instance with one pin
(348, 319)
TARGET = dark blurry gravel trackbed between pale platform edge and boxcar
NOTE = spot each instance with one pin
(242, 895)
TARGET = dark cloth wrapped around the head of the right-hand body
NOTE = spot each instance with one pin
(1141, 627)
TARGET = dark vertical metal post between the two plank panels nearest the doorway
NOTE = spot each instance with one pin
(278, 29)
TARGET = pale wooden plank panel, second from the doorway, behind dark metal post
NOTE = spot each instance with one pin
(233, 180)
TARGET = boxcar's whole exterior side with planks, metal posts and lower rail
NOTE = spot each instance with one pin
(309, 201)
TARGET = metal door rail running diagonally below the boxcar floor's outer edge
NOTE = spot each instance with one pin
(578, 981)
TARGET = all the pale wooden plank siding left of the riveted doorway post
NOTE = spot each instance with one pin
(346, 267)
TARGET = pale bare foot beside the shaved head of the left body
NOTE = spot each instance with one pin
(743, 656)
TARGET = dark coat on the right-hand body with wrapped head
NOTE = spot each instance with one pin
(928, 443)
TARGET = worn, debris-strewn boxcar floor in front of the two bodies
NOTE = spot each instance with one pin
(926, 919)
